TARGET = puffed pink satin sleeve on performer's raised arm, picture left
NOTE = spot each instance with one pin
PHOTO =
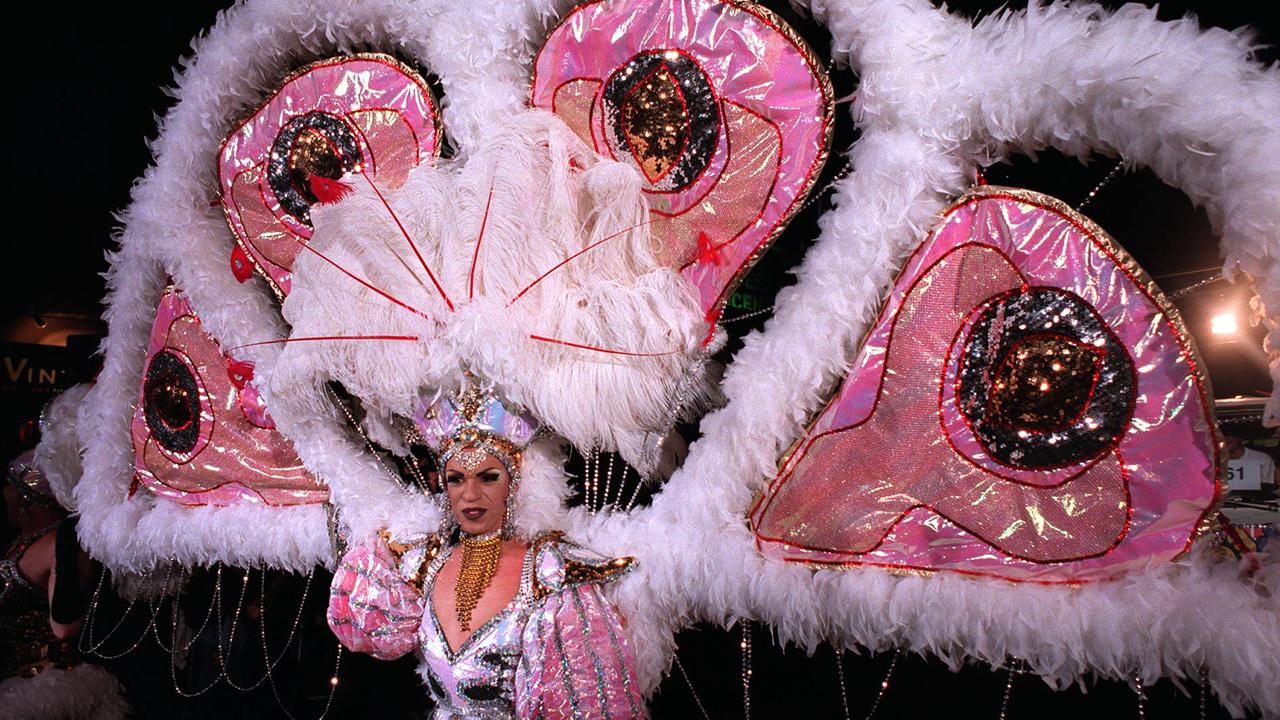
(371, 608)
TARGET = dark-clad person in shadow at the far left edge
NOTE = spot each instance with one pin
(43, 578)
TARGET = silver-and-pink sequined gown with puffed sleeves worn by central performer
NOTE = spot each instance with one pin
(556, 651)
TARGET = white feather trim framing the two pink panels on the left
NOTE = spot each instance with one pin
(172, 230)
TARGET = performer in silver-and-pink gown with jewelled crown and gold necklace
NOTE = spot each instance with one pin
(505, 626)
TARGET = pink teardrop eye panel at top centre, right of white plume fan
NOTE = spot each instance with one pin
(720, 106)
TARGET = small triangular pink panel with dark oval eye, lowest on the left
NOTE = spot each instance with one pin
(202, 435)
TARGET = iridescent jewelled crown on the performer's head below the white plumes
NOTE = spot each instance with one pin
(476, 422)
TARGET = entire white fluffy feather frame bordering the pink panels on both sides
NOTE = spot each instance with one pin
(939, 97)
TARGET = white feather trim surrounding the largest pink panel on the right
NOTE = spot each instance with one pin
(939, 98)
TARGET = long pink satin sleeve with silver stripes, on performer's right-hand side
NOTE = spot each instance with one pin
(577, 662)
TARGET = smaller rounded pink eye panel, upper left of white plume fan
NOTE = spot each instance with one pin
(365, 115)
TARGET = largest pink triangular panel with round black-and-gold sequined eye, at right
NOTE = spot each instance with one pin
(1028, 407)
